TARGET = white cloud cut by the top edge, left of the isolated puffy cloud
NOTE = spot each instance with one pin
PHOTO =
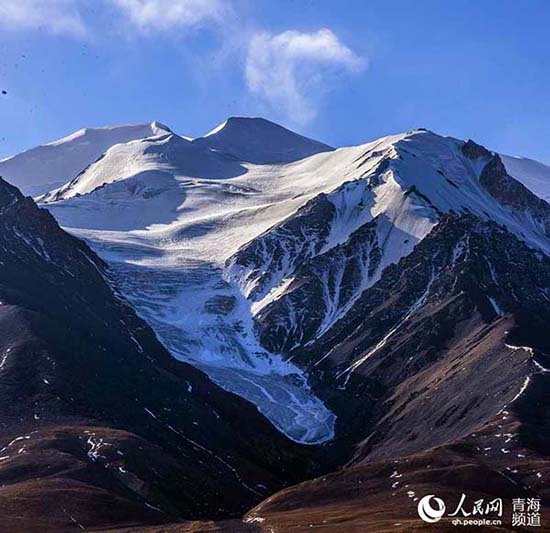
(170, 14)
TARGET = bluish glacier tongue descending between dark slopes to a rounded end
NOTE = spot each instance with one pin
(203, 320)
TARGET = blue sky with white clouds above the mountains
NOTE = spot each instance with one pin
(343, 72)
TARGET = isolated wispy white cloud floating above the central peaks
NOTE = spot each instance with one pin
(289, 70)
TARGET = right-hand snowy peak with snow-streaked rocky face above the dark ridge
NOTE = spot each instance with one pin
(399, 191)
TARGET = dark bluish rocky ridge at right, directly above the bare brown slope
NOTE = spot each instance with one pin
(436, 297)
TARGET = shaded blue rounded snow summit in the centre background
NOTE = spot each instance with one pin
(259, 141)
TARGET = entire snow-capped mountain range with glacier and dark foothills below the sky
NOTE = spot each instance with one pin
(191, 325)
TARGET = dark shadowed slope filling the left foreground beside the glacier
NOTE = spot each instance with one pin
(95, 411)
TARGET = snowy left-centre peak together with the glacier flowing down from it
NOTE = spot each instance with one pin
(147, 205)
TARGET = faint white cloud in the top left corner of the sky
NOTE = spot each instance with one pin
(56, 16)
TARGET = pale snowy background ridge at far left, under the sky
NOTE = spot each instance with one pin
(41, 169)
